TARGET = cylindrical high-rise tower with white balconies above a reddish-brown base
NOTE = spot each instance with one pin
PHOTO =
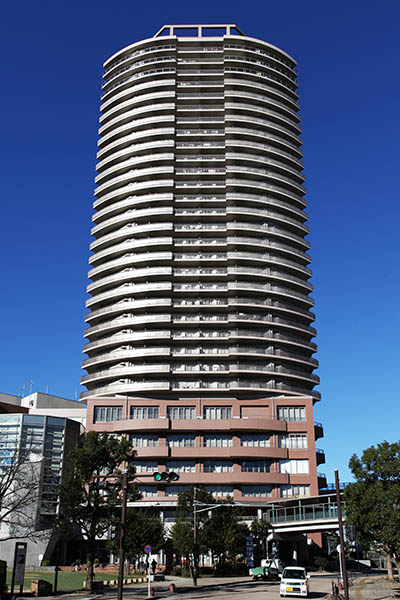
(199, 339)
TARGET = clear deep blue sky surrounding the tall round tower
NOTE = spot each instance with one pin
(348, 56)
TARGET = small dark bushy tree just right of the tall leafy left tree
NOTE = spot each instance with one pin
(142, 528)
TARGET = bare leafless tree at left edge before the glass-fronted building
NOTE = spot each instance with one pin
(20, 475)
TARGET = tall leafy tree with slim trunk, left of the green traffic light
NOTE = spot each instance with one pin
(90, 495)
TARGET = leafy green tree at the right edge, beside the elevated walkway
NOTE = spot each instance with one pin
(373, 501)
